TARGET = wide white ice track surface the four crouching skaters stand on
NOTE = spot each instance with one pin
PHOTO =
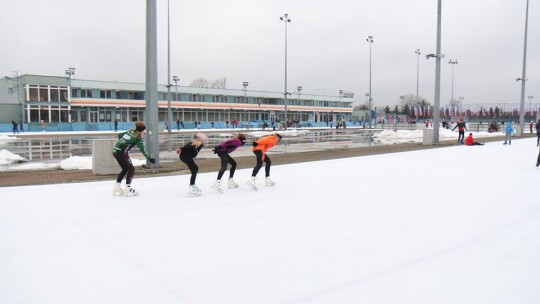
(450, 225)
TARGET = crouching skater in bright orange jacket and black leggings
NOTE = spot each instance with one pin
(260, 147)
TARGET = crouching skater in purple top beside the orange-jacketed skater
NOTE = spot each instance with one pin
(223, 150)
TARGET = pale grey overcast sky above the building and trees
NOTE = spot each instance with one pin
(243, 40)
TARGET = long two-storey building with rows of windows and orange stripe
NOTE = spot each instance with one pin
(62, 100)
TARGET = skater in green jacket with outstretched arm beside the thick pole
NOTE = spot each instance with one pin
(128, 140)
